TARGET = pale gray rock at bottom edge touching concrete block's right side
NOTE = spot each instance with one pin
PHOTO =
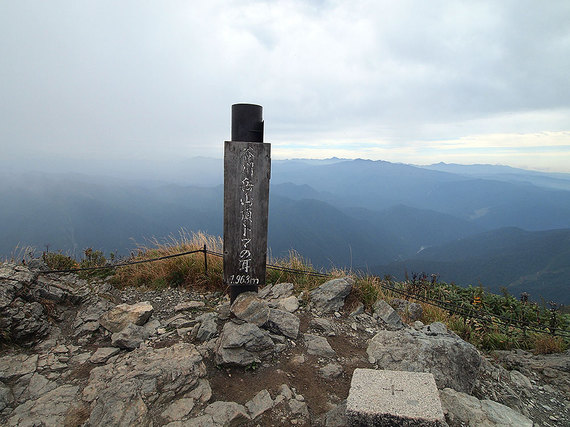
(466, 409)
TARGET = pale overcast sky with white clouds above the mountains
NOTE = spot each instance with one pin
(404, 81)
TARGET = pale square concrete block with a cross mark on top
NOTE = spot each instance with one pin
(393, 398)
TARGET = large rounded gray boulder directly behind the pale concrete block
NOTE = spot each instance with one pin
(453, 362)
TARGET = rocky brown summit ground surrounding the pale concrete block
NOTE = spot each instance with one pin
(85, 353)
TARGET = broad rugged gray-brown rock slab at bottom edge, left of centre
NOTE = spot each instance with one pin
(125, 392)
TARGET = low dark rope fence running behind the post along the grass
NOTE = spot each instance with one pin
(485, 317)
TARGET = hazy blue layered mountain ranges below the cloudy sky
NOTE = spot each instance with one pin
(493, 225)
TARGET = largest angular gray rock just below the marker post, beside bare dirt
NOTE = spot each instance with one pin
(241, 345)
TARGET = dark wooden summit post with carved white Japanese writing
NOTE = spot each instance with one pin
(247, 170)
